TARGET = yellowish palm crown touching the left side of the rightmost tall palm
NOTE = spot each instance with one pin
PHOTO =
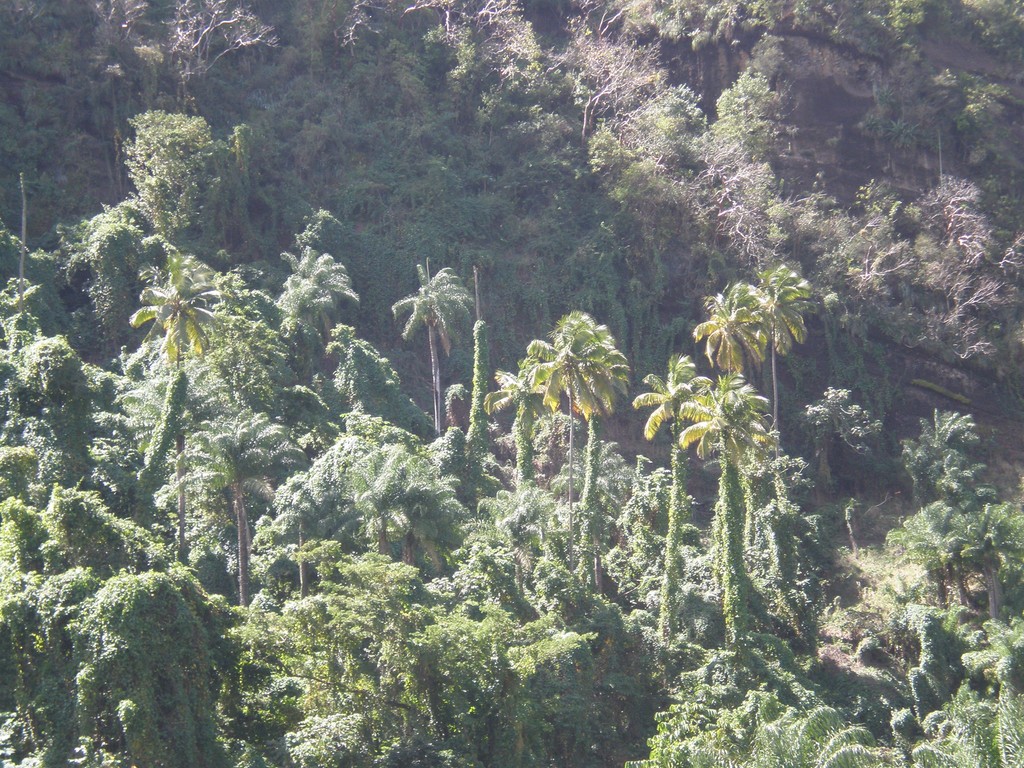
(734, 328)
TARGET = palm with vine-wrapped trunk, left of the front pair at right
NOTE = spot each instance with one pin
(668, 398)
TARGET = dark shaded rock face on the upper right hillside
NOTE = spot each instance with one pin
(849, 117)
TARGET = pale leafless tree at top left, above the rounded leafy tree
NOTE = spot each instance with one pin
(204, 31)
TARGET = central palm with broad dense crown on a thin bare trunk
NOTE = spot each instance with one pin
(582, 363)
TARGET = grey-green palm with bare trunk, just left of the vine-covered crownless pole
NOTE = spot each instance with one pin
(441, 304)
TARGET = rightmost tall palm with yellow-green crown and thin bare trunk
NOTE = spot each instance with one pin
(784, 297)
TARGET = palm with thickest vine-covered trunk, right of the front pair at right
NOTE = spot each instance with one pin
(729, 419)
